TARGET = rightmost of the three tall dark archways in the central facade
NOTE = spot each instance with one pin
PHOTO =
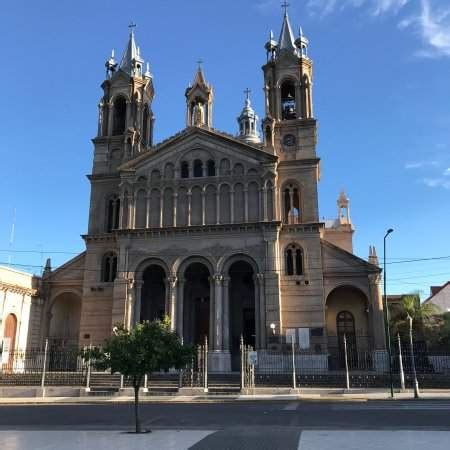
(242, 308)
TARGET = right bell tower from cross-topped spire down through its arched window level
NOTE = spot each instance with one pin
(289, 128)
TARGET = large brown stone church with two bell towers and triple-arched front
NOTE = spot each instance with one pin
(220, 232)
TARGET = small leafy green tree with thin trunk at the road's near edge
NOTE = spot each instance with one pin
(146, 348)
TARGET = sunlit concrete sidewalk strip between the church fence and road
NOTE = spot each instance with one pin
(360, 395)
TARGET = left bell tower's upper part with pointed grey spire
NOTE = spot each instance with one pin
(125, 125)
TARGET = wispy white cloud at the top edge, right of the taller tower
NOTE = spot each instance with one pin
(376, 7)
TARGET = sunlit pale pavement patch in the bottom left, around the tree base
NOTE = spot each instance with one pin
(100, 440)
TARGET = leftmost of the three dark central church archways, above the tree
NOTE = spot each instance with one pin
(153, 294)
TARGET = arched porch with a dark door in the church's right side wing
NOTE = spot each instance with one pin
(347, 315)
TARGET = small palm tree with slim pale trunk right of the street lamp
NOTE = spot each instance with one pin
(417, 313)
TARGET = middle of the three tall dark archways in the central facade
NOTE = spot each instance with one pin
(196, 303)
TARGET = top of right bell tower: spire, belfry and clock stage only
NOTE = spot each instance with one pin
(289, 127)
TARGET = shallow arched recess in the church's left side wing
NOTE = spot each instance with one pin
(65, 317)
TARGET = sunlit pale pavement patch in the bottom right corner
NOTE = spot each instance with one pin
(374, 440)
